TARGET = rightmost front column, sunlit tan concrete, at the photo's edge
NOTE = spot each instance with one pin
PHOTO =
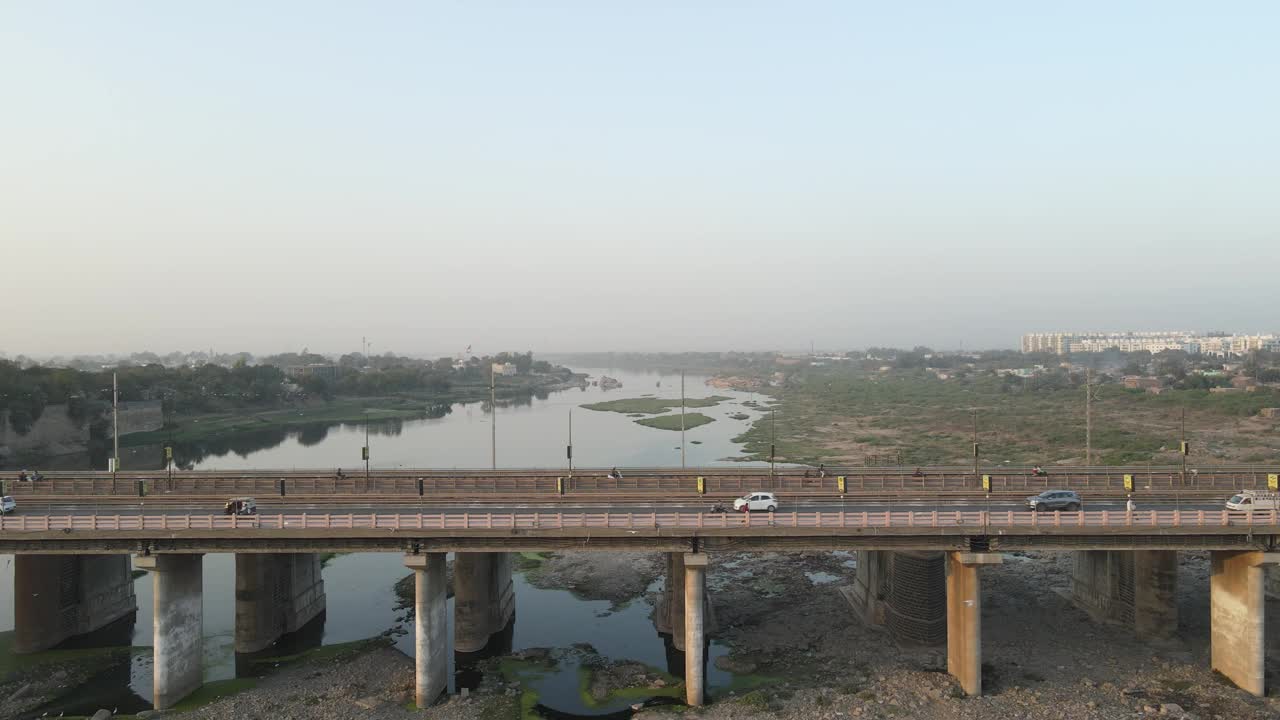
(1238, 617)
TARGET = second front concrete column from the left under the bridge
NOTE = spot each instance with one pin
(431, 627)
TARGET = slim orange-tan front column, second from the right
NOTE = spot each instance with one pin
(964, 617)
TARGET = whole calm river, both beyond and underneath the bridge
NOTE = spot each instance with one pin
(360, 596)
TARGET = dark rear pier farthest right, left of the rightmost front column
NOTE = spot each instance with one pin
(1136, 589)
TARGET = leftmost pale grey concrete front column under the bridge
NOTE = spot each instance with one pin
(179, 644)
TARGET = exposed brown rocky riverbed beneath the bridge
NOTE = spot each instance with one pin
(799, 653)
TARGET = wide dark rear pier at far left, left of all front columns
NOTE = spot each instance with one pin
(58, 598)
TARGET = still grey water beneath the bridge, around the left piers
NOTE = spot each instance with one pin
(362, 604)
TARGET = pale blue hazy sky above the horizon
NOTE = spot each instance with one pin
(633, 176)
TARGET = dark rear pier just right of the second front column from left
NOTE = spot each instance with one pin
(483, 599)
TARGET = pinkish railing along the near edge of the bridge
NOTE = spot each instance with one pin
(996, 521)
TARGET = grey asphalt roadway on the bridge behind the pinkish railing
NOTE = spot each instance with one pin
(273, 507)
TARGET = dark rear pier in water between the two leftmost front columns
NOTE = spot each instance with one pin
(276, 594)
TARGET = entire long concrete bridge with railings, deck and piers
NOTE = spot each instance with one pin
(922, 540)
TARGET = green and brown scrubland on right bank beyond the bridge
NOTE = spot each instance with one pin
(881, 412)
